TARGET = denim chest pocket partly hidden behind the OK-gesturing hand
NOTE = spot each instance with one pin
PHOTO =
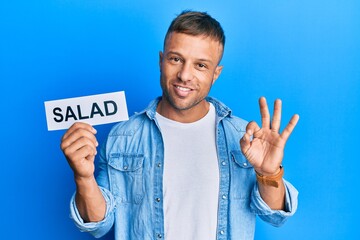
(242, 176)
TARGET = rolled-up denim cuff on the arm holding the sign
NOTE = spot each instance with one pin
(97, 229)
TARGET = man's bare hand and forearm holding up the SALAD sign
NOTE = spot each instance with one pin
(79, 146)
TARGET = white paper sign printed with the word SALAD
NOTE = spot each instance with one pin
(95, 110)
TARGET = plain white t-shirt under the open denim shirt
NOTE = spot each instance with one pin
(191, 178)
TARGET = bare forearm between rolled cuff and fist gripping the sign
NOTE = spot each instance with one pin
(89, 200)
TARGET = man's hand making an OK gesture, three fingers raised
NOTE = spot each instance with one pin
(265, 150)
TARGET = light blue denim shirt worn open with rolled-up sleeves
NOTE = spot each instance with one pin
(131, 181)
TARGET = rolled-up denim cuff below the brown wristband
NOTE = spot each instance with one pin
(275, 217)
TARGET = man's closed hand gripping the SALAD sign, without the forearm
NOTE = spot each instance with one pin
(79, 147)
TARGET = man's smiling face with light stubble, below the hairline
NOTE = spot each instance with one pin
(189, 67)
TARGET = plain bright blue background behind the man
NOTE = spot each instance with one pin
(305, 52)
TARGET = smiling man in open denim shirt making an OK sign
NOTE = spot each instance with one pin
(177, 170)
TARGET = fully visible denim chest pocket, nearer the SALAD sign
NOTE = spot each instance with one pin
(126, 177)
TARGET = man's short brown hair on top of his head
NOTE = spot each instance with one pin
(196, 24)
